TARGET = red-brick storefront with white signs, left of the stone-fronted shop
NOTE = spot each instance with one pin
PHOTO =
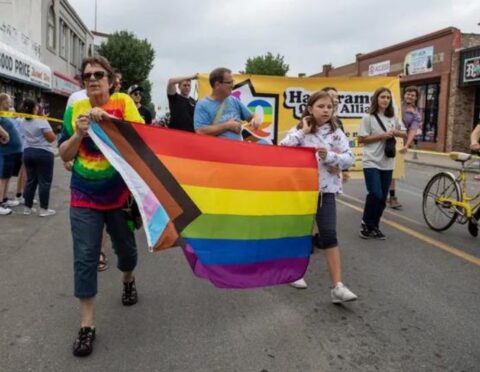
(425, 63)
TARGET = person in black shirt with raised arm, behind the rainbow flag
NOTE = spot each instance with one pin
(181, 105)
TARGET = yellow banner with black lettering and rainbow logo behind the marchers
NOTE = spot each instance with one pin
(280, 101)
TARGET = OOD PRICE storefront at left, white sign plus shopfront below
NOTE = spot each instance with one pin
(22, 76)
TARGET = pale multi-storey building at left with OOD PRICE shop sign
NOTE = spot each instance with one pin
(42, 44)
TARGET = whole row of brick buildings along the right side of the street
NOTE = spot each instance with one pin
(433, 63)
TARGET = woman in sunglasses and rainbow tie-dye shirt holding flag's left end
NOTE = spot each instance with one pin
(98, 193)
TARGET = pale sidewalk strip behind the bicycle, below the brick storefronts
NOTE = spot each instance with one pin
(440, 160)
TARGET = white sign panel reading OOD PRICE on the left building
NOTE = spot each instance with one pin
(18, 66)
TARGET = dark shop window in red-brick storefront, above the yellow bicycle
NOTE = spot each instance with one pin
(427, 104)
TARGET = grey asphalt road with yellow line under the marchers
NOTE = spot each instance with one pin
(418, 307)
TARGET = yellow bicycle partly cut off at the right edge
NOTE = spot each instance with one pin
(445, 199)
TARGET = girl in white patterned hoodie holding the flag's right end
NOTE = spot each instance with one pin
(318, 130)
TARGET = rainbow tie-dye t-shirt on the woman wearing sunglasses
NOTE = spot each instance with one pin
(95, 183)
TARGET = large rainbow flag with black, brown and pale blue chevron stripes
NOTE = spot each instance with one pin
(243, 212)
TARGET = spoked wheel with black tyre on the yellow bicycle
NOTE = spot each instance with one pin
(440, 214)
